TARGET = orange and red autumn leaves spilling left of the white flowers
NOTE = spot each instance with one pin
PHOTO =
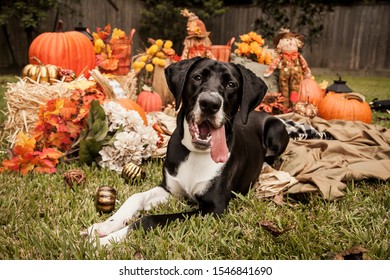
(59, 124)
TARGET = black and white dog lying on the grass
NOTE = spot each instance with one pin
(218, 147)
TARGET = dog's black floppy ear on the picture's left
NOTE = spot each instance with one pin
(176, 75)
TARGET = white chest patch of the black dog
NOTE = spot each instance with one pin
(194, 175)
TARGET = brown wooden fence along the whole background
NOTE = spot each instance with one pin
(354, 38)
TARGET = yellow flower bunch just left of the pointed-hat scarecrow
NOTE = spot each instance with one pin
(154, 56)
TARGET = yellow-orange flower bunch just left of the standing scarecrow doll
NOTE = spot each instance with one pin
(252, 47)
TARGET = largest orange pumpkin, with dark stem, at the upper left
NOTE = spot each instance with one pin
(69, 50)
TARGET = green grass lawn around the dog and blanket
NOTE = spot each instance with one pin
(40, 218)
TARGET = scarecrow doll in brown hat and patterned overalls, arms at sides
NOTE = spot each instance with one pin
(291, 64)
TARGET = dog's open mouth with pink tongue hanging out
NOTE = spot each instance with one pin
(206, 136)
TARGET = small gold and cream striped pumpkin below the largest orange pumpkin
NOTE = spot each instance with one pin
(40, 72)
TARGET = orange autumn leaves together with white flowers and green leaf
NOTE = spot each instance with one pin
(81, 128)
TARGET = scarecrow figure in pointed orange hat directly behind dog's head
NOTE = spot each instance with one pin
(197, 42)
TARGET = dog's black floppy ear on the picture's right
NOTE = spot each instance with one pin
(253, 91)
